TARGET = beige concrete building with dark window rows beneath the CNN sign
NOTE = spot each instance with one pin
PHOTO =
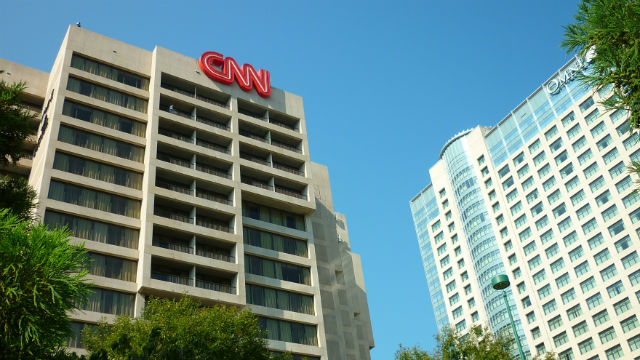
(178, 184)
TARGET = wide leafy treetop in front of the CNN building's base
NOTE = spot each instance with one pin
(179, 329)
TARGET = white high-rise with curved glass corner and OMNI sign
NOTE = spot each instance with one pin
(545, 198)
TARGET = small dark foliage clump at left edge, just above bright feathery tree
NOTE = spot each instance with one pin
(17, 196)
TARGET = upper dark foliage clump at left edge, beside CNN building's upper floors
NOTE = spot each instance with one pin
(15, 123)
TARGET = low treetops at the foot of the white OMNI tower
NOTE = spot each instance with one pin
(478, 344)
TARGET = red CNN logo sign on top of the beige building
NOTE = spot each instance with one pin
(225, 70)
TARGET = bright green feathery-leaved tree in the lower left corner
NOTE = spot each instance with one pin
(41, 277)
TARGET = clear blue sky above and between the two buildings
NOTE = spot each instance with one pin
(385, 84)
